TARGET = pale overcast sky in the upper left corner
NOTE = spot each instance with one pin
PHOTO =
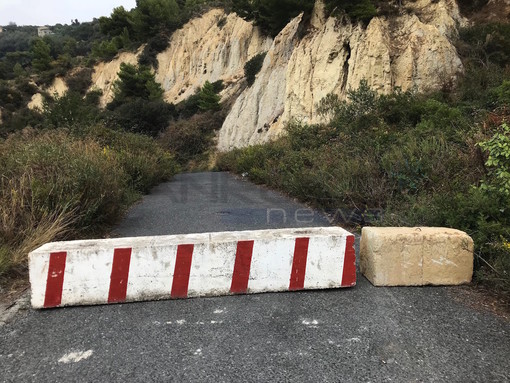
(50, 12)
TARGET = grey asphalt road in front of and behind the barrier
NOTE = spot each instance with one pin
(364, 334)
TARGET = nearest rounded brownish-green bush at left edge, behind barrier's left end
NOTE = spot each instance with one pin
(51, 176)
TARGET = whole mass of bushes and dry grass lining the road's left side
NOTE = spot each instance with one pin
(56, 186)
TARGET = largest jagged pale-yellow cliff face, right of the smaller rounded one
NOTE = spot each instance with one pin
(412, 51)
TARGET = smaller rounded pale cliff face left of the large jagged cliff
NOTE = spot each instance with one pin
(213, 47)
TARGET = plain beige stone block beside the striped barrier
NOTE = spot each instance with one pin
(401, 256)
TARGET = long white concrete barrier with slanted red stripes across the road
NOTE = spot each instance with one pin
(183, 266)
